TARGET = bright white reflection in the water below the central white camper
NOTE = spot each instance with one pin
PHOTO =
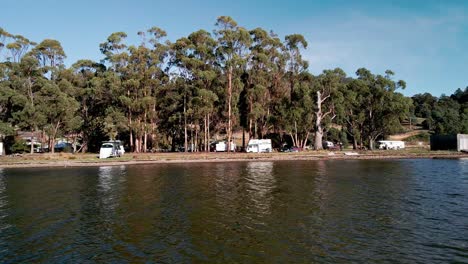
(260, 182)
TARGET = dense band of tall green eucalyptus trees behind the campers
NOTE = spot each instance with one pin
(160, 95)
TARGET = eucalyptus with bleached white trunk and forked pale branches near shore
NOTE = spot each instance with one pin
(328, 98)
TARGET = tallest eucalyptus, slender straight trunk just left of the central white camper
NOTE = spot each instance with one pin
(232, 52)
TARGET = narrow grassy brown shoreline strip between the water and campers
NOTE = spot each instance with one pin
(70, 160)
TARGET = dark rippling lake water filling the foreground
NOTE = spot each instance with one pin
(400, 211)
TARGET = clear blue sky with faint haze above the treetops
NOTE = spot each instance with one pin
(424, 42)
